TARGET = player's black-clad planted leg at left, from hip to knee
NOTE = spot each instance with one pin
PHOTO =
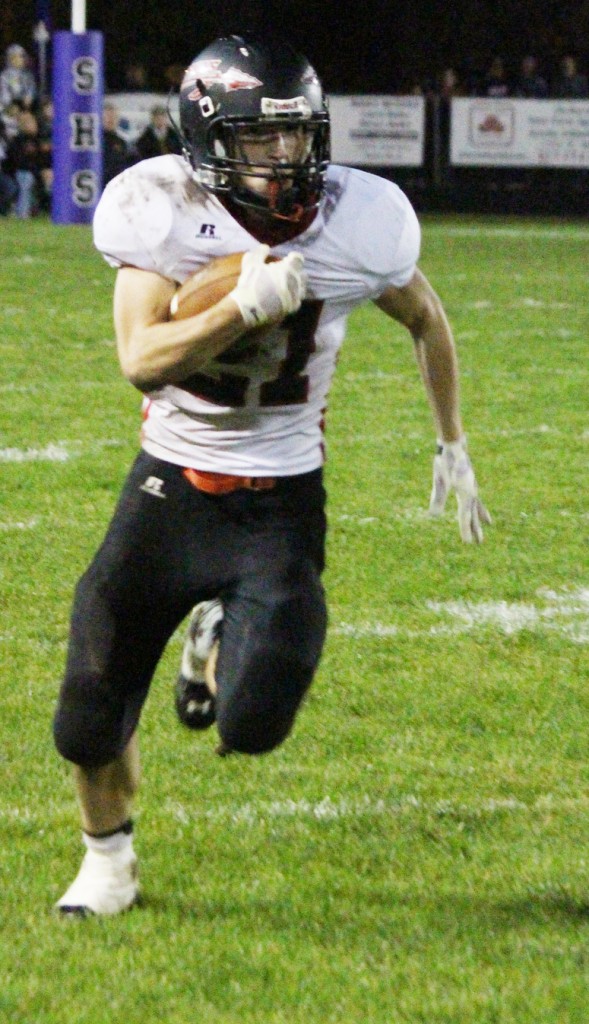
(127, 607)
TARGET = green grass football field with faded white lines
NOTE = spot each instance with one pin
(418, 851)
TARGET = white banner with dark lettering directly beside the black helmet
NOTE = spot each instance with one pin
(387, 132)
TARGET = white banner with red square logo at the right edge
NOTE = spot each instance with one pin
(520, 134)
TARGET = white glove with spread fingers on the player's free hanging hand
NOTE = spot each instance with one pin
(452, 470)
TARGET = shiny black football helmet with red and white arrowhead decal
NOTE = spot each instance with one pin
(238, 84)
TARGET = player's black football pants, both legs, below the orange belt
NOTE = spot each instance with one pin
(169, 547)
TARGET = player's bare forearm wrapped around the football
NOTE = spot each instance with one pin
(169, 353)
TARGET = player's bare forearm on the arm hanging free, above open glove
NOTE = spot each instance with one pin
(439, 365)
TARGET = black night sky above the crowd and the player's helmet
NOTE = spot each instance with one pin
(364, 47)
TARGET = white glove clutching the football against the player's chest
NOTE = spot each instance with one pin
(268, 292)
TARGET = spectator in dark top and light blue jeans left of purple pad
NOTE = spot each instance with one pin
(26, 162)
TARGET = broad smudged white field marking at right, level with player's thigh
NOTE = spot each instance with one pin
(566, 613)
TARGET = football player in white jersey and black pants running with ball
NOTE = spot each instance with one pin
(223, 513)
